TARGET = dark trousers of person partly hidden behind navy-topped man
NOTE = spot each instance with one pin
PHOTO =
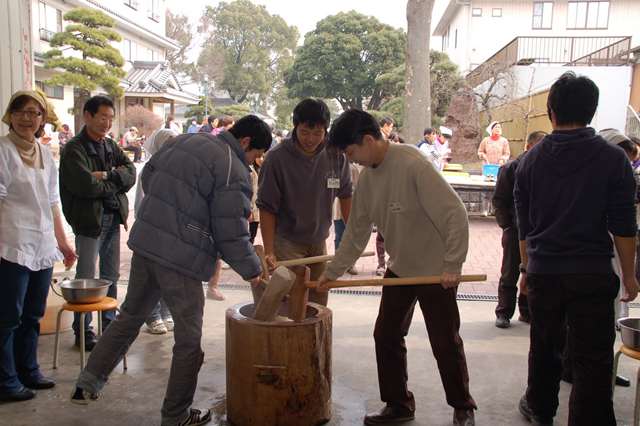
(509, 274)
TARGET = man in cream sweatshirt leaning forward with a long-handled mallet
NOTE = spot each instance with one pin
(426, 233)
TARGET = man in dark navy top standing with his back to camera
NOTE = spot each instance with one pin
(572, 191)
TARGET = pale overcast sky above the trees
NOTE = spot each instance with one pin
(305, 14)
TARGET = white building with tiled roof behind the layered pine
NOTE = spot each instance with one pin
(141, 23)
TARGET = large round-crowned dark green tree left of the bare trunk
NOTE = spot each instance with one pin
(343, 57)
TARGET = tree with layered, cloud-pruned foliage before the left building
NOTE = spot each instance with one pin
(94, 63)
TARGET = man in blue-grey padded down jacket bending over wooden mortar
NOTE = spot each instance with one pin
(196, 206)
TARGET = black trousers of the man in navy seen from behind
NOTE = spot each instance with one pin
(585, 302)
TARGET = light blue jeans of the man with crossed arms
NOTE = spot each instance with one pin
(107, 246)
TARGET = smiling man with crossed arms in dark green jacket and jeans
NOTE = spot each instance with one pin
(95, 175)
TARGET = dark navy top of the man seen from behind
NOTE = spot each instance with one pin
(571, 190)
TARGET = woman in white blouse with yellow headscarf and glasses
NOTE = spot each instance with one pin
(31, 241)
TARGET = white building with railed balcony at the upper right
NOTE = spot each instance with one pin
(518, 48)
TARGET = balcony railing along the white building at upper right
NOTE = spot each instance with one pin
(602, 51)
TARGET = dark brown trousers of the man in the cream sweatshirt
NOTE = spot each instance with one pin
(440, 312)
